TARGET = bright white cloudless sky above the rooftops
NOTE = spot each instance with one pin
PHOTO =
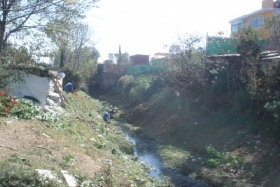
(146, 26)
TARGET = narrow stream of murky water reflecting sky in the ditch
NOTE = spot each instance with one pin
(143, 149)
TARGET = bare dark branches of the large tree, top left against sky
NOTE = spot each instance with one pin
(31, 17)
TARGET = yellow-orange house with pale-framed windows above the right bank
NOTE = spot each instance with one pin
(256, 19)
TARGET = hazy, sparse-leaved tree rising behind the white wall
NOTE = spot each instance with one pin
(79, 53)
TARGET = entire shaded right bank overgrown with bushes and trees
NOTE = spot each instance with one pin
(229, 107)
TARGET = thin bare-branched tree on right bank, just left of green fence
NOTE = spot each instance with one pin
(186, 72)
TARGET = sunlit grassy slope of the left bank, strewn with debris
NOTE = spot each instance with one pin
(79, 141)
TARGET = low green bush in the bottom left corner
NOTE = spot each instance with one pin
(15, 176)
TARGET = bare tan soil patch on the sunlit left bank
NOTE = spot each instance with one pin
(19, 138)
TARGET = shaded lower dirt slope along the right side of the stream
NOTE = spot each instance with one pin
(221, 154)
